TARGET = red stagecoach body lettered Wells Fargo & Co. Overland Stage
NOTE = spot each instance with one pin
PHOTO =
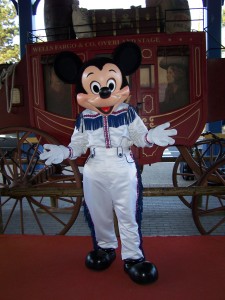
(51, 105)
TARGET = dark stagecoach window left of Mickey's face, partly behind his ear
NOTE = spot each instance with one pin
(57, 94)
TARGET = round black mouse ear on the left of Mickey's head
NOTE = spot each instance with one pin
(67, 66)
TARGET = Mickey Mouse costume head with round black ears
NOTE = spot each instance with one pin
(101, 83)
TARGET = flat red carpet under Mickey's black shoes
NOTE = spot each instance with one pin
(52, 268)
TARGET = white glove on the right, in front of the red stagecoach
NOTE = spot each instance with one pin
(160, 136)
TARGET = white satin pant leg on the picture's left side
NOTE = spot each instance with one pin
(99, 202)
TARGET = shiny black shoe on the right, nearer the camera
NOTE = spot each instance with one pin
(141, 271)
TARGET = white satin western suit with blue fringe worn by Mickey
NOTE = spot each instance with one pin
(110, 180)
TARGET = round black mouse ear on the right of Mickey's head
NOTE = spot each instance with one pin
(127, 57)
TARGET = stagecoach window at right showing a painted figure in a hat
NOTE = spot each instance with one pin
(173, 78)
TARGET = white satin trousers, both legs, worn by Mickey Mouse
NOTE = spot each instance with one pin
(111, 182)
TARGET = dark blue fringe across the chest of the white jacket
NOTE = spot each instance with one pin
(115, 120)
